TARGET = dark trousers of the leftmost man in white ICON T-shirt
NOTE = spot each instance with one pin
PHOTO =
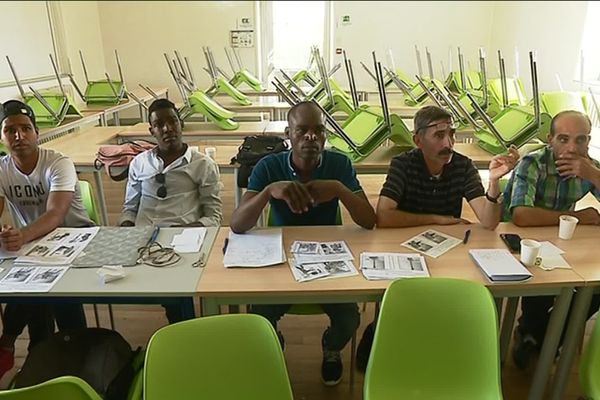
(39, 318)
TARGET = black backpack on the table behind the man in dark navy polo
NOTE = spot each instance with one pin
(252, 150)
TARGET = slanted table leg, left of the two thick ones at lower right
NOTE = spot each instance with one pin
(546, 359)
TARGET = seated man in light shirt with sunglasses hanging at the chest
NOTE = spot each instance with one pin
(171, 185)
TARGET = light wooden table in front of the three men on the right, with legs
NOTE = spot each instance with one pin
(276, 285)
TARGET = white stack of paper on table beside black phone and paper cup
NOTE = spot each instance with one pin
(500, 265)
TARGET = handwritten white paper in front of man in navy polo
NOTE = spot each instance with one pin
(256, 248)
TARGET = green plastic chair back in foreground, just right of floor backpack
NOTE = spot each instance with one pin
(234, 356)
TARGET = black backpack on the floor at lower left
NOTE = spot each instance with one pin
(101, 357)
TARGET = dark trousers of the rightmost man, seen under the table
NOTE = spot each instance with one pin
(536, 315)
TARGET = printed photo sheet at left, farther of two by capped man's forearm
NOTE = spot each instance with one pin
(59, 247)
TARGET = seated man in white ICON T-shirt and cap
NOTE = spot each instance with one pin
(42, 190)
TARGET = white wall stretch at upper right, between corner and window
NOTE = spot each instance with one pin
(553, 28)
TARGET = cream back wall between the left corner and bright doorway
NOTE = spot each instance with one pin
(143, 31)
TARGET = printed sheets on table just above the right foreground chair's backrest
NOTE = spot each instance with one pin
(377, 266)
